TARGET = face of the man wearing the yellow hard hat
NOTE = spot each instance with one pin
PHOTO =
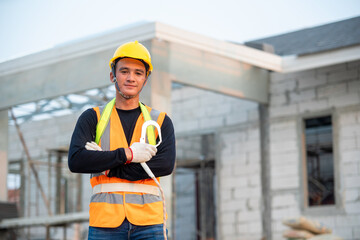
(131, 76)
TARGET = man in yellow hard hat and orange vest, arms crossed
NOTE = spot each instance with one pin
(125, 203)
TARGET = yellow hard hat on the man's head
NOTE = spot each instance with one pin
(132, 50)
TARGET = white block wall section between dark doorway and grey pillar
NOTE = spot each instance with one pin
(239, 185)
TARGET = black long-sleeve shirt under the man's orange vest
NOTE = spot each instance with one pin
(86, 161)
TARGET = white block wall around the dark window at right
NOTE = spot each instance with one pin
(334, 89)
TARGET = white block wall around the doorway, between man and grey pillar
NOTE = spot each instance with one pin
(239, 191)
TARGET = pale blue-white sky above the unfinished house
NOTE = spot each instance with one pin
(28, 26)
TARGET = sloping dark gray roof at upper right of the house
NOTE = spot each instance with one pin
(312, 40)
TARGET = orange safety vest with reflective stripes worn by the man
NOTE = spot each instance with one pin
(138, 201)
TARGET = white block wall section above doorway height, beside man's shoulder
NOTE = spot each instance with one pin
(195, 109)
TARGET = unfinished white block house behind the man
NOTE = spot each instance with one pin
(267, 130)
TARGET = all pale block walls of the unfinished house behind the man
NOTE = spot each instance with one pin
(234, 123)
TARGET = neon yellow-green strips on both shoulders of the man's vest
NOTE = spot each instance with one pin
(105, 116)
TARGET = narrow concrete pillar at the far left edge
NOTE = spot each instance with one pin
(3, 154)
